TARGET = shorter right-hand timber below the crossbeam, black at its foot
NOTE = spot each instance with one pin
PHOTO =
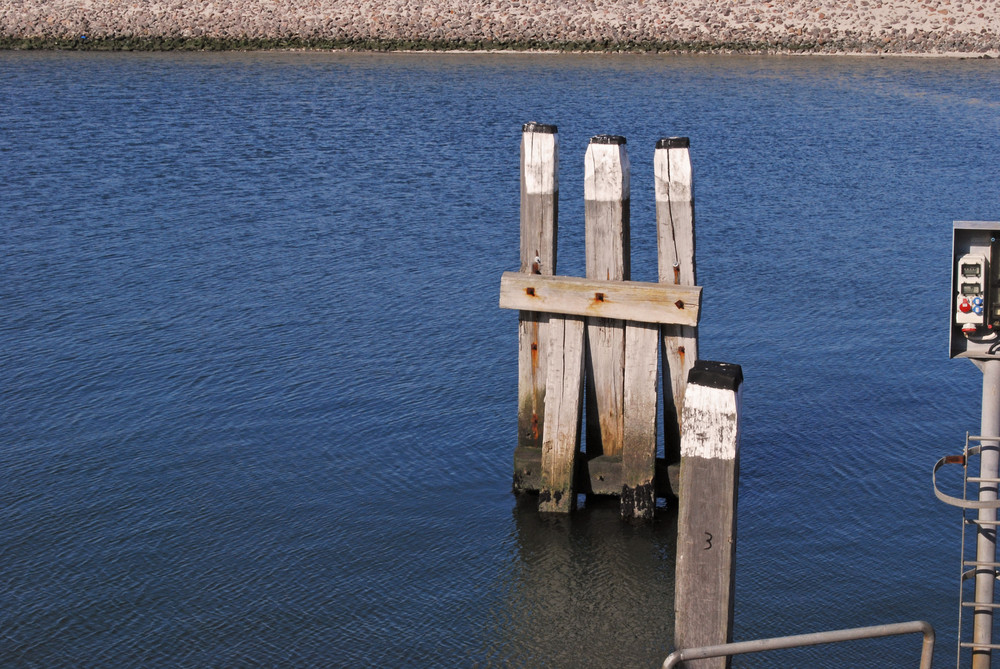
(638, 495)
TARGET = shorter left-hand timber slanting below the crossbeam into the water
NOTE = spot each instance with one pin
(563, 412)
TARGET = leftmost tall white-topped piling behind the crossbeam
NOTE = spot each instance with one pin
(539, 227)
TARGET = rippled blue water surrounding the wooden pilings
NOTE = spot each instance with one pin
(258, 402)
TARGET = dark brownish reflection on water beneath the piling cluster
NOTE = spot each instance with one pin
(588, 589)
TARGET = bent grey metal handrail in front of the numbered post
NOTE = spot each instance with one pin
(833, 636)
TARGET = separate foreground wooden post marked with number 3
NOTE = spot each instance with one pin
(706, 516)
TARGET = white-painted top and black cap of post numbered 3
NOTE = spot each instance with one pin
(710, 422)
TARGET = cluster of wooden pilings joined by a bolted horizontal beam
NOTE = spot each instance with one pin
(625, 324)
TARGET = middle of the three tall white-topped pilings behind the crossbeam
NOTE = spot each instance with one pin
(606, 211)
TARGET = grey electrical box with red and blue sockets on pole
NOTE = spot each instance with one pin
(975, 290)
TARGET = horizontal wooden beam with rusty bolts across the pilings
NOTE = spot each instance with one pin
(624, 300)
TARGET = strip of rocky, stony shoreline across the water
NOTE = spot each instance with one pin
(910, 27)
